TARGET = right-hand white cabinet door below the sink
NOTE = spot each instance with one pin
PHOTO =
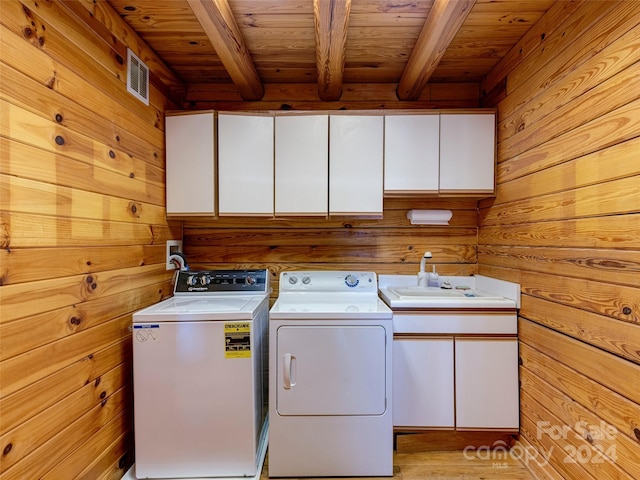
(487, 392)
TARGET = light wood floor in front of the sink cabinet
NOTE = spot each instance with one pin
(452, 465)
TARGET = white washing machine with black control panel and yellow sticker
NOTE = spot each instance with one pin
(199, 377)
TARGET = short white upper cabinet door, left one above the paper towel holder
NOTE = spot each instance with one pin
(411, 154)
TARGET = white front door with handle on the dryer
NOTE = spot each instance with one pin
(331, 370)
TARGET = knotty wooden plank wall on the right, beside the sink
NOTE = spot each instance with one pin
(566, 225)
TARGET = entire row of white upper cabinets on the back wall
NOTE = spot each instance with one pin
(315, 163)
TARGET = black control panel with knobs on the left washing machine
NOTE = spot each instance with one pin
(218, 281)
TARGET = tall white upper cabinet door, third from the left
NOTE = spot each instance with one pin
(302, 164)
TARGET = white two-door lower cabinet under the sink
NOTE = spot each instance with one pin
(455, 370)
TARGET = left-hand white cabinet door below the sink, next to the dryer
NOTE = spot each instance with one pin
(423, 382)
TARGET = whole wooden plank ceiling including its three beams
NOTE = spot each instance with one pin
(330, 43)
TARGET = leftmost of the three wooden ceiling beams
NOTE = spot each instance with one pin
(220, 26)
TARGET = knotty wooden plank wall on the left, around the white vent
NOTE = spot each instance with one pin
(82, 230)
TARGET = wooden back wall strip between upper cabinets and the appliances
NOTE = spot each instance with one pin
(389, 245)
